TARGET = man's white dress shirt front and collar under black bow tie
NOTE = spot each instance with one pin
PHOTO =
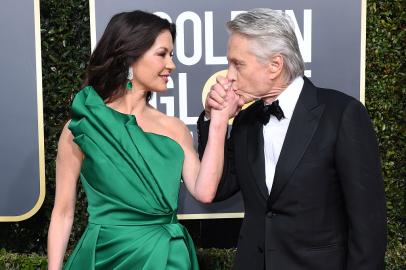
(275, 131)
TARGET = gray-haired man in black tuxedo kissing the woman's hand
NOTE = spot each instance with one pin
(304, 158)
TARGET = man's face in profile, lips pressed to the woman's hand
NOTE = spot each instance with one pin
(247, 73)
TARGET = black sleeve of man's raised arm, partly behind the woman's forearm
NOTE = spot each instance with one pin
(228, 185)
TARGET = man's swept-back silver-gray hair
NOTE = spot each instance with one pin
(271, 32)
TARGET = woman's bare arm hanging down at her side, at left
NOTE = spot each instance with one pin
(68, 163)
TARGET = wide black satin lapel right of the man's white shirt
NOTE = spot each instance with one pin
(303, 124)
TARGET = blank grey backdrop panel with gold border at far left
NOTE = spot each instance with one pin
(22, 179)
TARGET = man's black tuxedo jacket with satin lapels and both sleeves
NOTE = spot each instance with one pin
(326, 209)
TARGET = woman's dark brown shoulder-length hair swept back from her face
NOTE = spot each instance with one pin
(127, 37)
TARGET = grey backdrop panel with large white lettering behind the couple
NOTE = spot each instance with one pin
(331, 37)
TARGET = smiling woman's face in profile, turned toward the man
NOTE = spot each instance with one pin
(152, 69)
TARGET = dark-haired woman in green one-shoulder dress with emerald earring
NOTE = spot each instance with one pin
(130, 157)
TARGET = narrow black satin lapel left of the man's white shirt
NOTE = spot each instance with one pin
(256, 159)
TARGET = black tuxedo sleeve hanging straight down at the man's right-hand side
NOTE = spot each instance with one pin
(359, 170)
